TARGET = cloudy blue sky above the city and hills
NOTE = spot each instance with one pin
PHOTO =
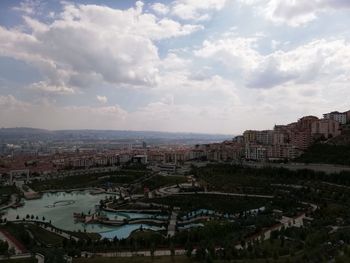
(213, 66)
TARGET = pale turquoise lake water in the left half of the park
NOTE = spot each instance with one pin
(59, 208)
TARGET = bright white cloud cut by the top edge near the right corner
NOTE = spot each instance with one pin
(296, 12)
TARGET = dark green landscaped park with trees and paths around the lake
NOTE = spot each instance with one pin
(225, 222)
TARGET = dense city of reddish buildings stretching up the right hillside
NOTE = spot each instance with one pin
(282, 143)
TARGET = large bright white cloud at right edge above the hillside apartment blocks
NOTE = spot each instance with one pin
(322, 60)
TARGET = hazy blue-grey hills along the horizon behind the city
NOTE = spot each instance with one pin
(23, 133)
